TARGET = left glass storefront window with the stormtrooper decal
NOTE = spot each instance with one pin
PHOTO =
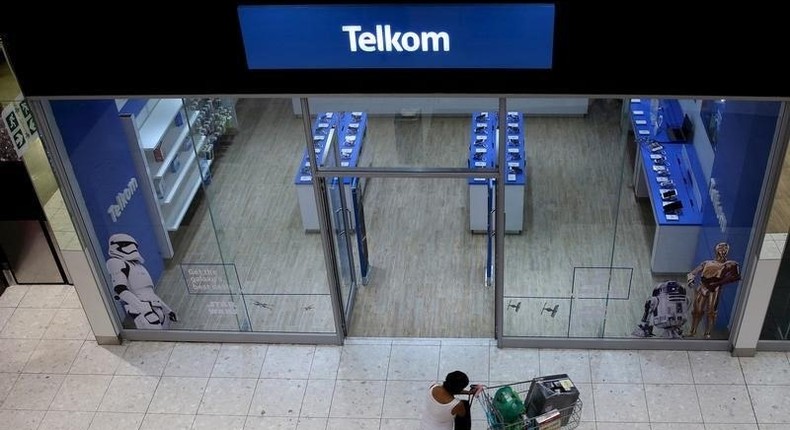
(193, 210)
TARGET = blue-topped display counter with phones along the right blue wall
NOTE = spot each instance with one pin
(666, 171)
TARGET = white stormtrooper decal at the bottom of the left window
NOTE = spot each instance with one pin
(133, 286)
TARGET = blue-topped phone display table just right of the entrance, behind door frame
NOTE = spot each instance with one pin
(485, 137)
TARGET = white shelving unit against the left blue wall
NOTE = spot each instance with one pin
(160, 135)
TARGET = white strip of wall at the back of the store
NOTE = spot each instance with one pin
(444, 105)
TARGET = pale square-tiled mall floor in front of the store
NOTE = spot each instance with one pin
(53, 376)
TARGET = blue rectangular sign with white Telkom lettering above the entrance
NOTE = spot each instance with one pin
(460, 36)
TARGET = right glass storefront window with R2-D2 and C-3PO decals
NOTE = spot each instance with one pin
(638, 218)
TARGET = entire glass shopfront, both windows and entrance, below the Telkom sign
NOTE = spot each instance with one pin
(616, 210)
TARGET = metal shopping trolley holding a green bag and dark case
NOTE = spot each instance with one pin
(540, 395)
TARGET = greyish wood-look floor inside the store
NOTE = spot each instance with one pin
(585, 235)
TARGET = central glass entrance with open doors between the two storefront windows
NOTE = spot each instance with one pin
(411, 162)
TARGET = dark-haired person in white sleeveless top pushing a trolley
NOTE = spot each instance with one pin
(442, 410)
